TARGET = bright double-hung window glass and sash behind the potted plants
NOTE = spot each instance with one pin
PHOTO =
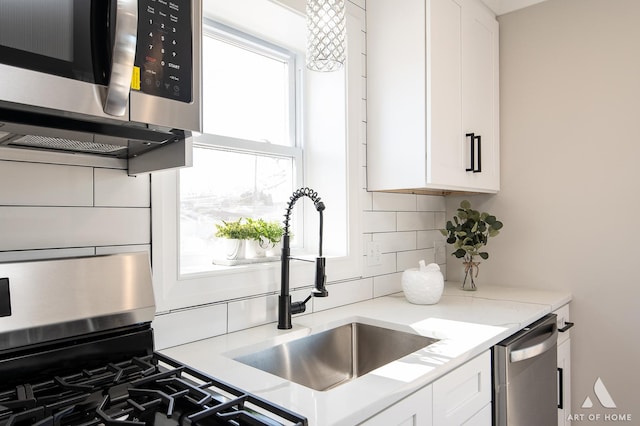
(249, 159)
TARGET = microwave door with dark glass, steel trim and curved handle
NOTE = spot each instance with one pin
(73, 56)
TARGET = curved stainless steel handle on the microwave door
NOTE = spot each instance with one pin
(124, 52)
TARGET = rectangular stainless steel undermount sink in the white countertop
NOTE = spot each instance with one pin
(336, 356)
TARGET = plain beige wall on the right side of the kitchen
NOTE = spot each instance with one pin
(570, 108)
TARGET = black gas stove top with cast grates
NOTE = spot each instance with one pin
(149, 390)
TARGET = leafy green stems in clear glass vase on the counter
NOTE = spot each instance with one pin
(469, 232)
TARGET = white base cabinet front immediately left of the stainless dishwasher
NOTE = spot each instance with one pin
(461, 394)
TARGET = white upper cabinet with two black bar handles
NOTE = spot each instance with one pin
(432, 96)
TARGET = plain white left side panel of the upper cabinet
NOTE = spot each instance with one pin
(396, 105)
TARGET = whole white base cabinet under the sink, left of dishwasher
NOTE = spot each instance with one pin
(462, 397)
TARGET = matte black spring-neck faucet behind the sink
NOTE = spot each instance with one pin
(286, 308)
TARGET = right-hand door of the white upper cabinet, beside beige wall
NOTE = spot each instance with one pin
(480, 91)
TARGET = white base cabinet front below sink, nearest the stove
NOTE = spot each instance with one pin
(414, 410)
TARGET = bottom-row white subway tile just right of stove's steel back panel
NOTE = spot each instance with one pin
(169, 329)
